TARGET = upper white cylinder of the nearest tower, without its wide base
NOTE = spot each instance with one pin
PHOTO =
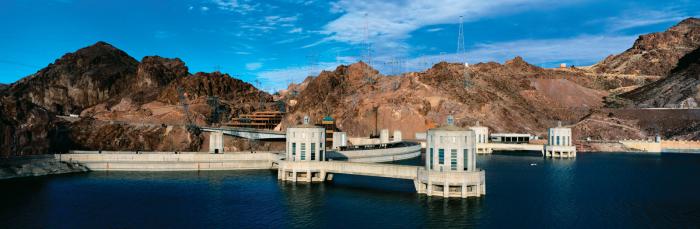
(450, 148)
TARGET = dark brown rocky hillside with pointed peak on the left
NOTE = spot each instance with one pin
(123, 104)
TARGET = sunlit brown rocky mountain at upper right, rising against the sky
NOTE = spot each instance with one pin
(656, 53)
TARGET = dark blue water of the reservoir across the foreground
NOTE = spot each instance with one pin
(592, 191)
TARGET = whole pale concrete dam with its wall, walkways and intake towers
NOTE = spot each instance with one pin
(449, 169)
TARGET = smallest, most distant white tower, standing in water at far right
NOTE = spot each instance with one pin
(559, 143)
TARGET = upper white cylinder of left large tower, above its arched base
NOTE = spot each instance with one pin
(305, 142)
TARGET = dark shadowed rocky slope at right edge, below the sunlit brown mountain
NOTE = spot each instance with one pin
(681, 88)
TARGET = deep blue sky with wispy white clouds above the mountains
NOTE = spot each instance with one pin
(273, 43)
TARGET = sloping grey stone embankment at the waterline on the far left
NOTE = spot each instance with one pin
(39, 165)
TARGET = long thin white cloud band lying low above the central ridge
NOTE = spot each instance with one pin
(579, 50)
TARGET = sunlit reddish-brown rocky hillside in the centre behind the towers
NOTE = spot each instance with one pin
(514, 96)
